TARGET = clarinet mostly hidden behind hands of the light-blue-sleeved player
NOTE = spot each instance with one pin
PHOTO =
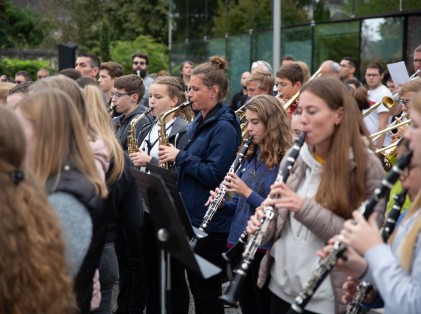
(363, 288)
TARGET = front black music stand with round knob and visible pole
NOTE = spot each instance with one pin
(170, 231)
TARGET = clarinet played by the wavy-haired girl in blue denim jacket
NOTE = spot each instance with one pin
(213, 207)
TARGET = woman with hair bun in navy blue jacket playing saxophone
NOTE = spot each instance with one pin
(201, 165)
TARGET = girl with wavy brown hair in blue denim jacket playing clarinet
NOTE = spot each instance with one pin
(268, 125)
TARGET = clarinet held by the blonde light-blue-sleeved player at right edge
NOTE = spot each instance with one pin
(338, 250)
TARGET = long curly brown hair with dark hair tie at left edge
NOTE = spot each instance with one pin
(33, 272)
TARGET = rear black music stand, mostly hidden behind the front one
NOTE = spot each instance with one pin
(171, 183)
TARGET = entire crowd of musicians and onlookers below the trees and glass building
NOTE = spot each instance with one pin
(76, 225)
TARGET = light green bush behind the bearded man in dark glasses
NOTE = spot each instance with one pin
(157, 52)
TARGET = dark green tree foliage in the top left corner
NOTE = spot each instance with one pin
(19, 28)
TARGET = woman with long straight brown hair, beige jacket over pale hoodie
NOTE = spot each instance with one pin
(336, 170)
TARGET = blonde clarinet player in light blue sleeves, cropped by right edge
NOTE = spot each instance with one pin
(394, 267)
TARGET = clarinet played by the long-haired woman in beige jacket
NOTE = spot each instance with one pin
(232, 294)
